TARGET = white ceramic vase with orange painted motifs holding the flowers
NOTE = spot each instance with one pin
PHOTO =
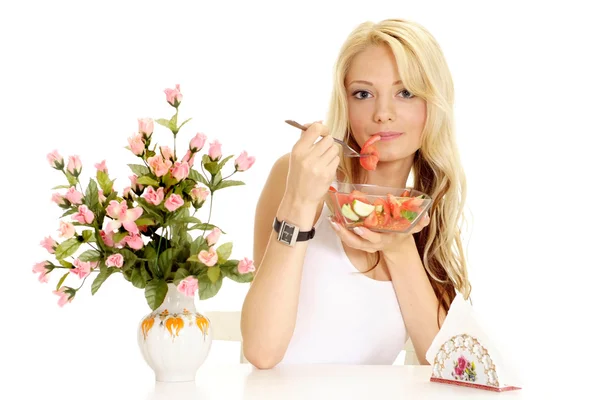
(175, 339)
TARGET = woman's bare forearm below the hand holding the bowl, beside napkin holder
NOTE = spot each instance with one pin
(416, 297)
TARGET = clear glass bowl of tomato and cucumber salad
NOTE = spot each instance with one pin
(378, 208)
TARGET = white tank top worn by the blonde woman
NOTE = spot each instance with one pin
(343, 316)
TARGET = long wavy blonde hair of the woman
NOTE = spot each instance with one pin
(437, 168)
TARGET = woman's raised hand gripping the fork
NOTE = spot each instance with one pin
(312, 165)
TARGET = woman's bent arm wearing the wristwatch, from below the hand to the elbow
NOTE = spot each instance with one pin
(270, 308)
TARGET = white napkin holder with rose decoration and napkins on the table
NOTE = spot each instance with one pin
(463, 355)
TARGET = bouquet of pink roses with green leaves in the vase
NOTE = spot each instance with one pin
(145, 233)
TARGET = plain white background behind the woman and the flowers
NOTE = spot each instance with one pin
(76, 76)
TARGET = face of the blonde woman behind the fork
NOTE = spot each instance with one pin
(378, 103)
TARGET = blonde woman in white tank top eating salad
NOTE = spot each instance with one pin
(307, 303)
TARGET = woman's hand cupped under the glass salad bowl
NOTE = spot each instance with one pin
(365, 239)
